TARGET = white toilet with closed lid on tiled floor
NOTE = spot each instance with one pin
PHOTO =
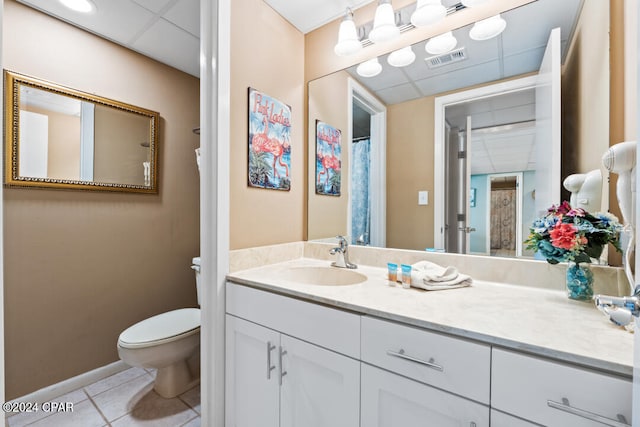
(167, 342)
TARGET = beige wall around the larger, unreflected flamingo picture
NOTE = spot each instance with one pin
(268, 55)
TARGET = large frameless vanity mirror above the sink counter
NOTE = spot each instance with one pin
(416, 181)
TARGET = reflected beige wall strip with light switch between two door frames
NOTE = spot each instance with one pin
(410, 156)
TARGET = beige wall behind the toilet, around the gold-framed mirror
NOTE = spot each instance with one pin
(80, 267)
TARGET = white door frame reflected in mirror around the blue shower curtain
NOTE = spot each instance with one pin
(378, 167)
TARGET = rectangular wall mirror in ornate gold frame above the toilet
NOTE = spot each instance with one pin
(56, 137)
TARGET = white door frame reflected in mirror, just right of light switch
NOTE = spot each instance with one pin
(441, 102)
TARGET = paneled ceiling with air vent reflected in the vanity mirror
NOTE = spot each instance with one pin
(518, 50)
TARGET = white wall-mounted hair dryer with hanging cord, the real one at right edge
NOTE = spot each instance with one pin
(621, 159)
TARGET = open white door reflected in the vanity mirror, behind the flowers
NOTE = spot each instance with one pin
(548, 126)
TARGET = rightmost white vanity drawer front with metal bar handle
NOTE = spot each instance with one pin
(555, 394)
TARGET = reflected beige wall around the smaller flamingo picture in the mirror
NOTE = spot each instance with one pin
(328, 103)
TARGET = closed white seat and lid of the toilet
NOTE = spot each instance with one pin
(162, 328)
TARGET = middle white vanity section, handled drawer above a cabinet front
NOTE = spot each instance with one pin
(426, 369)
